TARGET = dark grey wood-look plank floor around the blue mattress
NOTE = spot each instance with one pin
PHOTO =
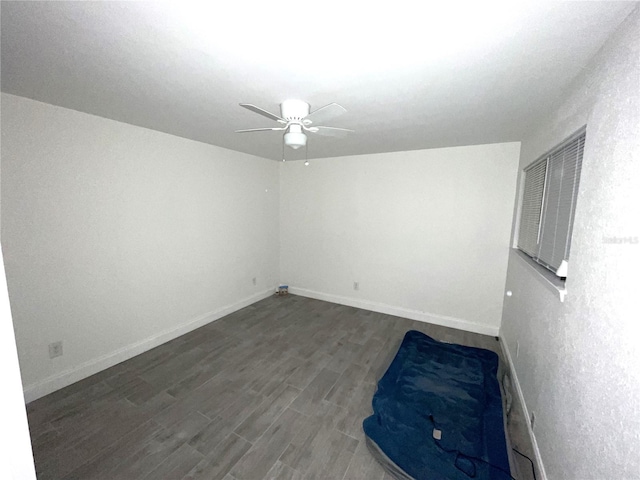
(277, 390)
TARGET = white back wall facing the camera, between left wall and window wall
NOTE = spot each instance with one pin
(425, 233)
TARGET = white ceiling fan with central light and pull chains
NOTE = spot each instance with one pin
(296, 120)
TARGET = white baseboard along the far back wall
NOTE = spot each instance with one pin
(427, 317)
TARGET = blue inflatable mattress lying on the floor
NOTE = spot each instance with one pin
(437, 413)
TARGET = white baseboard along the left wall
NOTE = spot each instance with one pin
(95, 365)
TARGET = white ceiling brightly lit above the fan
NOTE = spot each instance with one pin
(412, 75)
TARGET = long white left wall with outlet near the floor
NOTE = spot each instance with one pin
(117, 238)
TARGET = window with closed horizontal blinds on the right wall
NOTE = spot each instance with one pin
(548, 205)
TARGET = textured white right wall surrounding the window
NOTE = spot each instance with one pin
(579, 361)
